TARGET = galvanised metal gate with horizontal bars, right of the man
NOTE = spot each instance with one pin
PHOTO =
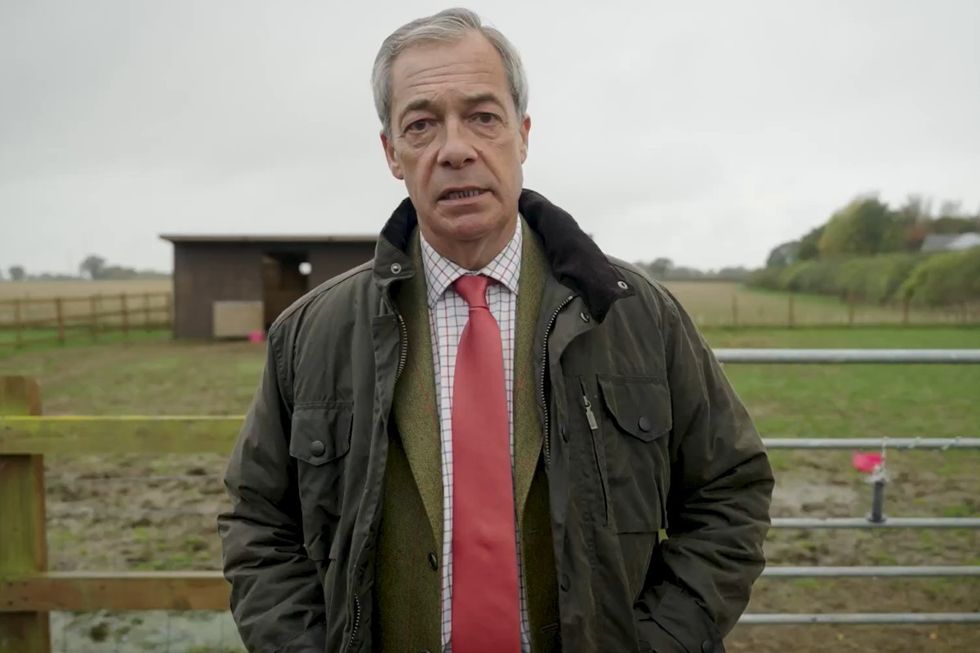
(876, 519)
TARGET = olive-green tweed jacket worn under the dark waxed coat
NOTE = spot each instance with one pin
(407, 589)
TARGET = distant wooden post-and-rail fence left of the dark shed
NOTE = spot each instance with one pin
(26, 321)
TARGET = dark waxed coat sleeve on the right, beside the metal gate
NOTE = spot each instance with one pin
(717, 506)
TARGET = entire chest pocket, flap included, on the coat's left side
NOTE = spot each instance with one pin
(319, 442)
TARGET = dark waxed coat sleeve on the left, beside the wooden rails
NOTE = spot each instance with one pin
(276, 597)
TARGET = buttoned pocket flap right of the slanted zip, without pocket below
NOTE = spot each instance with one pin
(640, 406)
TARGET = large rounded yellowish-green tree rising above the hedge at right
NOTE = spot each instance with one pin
(865, 226)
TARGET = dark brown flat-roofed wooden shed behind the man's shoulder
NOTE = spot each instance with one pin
(232, 286)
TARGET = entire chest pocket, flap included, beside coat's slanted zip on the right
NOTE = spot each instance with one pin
(636, 423)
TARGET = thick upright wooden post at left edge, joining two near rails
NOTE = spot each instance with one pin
(23, 547)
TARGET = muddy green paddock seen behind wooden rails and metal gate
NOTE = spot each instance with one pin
(133, 512)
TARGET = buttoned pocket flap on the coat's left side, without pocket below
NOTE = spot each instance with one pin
(320, 434)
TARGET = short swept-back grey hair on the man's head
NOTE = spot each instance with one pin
(448, 25)
